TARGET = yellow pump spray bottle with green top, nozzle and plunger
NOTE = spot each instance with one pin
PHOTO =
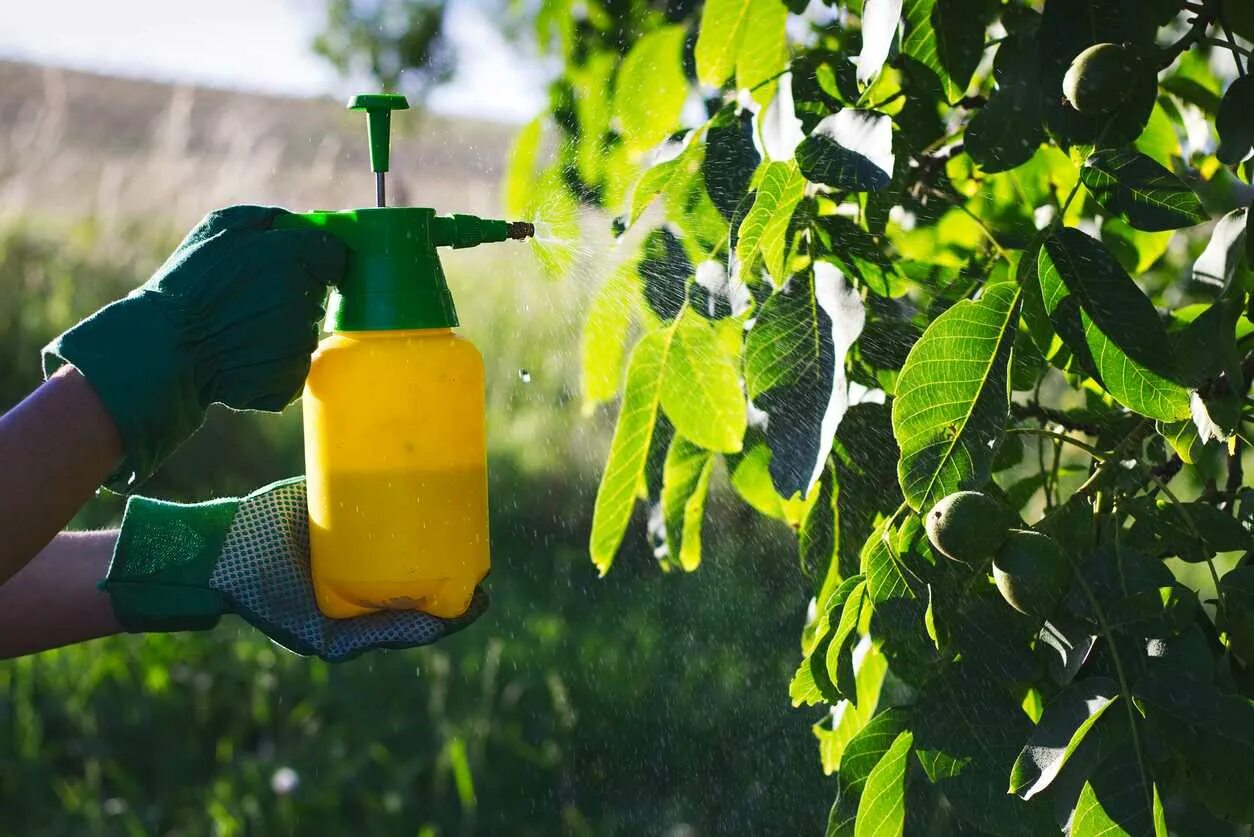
(396, 450)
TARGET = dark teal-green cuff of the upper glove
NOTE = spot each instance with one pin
(150, 390)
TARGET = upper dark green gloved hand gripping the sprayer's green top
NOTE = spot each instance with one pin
(231, 317)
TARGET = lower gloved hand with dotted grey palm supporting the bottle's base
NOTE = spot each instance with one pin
(184, 567)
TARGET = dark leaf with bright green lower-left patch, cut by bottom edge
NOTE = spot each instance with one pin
(1117, 801)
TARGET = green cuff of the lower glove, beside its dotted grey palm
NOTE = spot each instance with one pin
(166, 553)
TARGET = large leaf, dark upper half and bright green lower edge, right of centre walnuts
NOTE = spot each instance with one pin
(1102, 313)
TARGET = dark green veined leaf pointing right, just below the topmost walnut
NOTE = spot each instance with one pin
(1130, 185)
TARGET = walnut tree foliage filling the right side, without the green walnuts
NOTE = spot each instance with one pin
(877, 258)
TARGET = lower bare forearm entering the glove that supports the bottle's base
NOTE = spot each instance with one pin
(53, 600)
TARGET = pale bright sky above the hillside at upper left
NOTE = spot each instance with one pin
(255, 46)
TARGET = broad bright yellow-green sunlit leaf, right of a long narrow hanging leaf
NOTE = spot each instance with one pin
(702, 388)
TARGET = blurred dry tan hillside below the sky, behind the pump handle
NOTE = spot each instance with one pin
(77, 144)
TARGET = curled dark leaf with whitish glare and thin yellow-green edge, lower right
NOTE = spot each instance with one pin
(1068, 718)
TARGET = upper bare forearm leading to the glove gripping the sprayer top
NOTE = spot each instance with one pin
(56, 449)
